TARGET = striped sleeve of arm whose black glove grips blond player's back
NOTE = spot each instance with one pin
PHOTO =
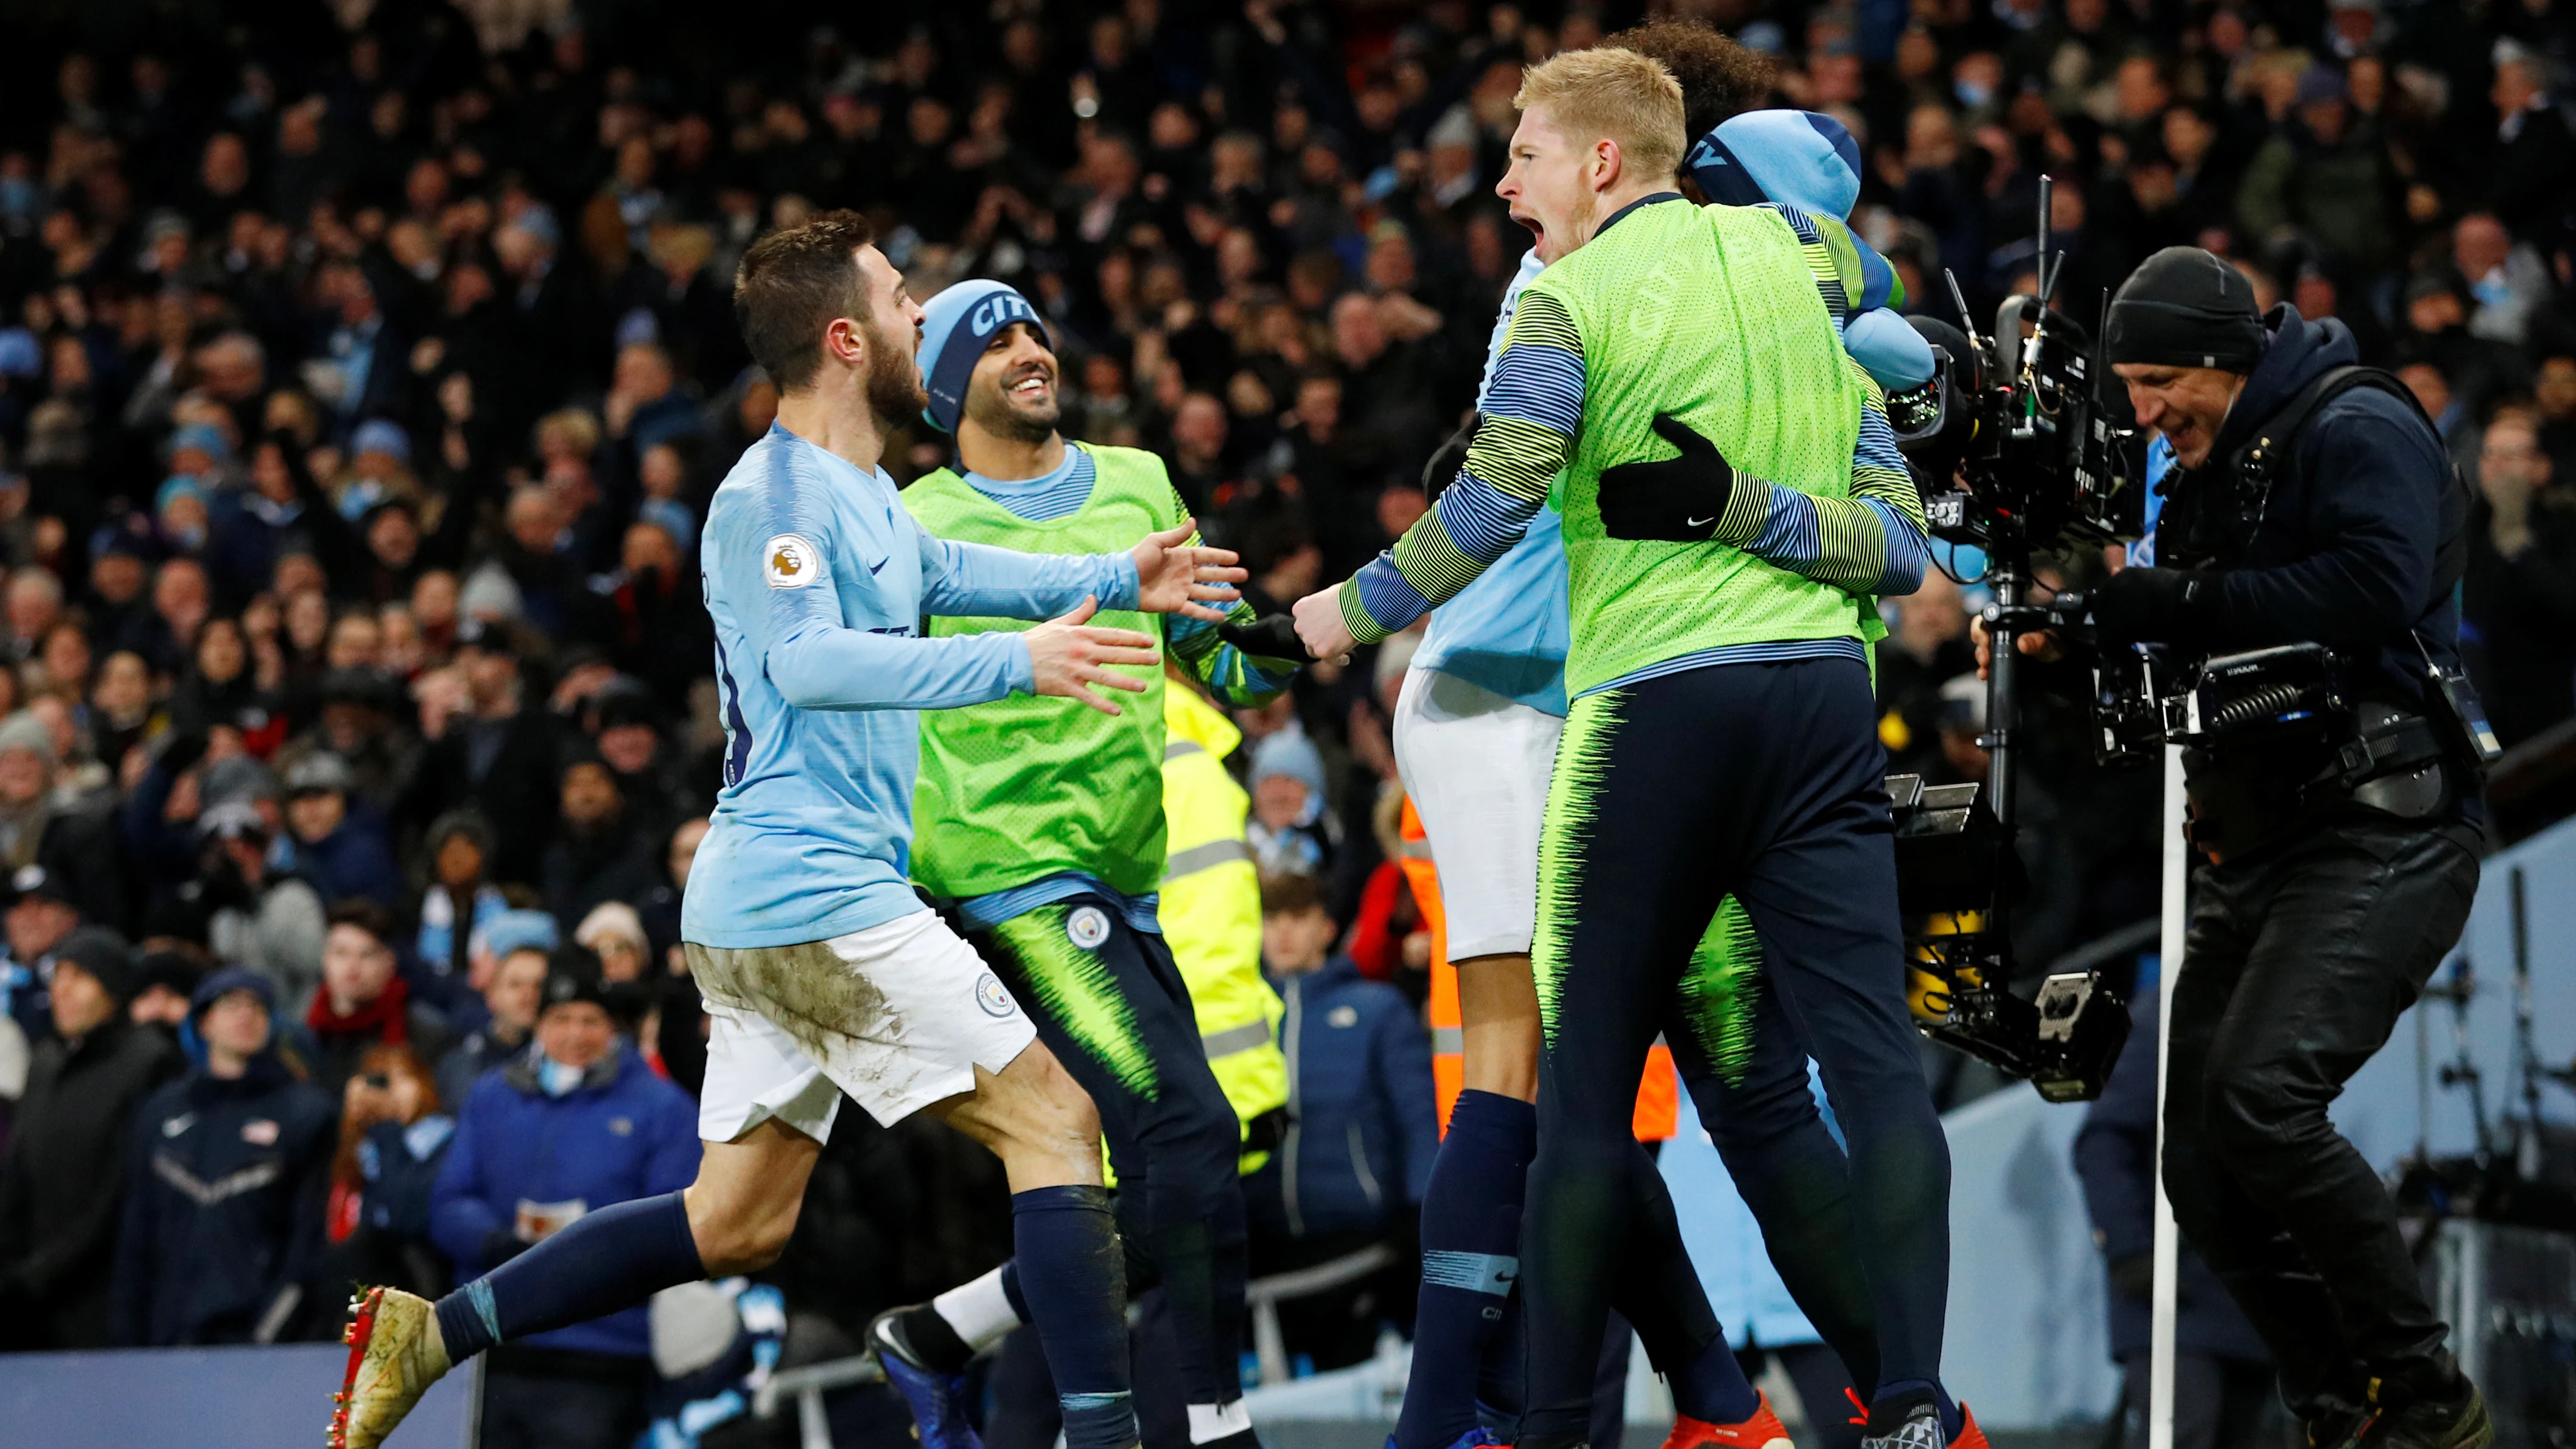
(1866, 544)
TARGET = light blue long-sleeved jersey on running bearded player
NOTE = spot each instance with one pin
(818, 583)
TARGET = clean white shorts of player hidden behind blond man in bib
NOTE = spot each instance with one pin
(1477, 768)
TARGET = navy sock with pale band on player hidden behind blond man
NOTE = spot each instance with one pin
(1470, 1262)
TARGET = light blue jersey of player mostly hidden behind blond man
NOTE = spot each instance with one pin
(1508, 632)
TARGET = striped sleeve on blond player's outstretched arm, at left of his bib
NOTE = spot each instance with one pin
(1531, 416)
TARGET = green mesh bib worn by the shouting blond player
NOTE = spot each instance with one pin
(1712, 315)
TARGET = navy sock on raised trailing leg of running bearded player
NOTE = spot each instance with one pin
(599, 1265)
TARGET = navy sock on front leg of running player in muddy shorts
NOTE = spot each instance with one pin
(1073, 1280)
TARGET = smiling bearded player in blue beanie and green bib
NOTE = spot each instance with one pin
(1045, 825)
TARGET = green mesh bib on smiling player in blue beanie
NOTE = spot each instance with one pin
(1021, 789)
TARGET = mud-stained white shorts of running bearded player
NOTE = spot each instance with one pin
(895, 1015)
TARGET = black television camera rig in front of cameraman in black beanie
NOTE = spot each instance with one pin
(2041, 465)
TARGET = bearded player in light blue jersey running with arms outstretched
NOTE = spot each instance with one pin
(820, 969)
